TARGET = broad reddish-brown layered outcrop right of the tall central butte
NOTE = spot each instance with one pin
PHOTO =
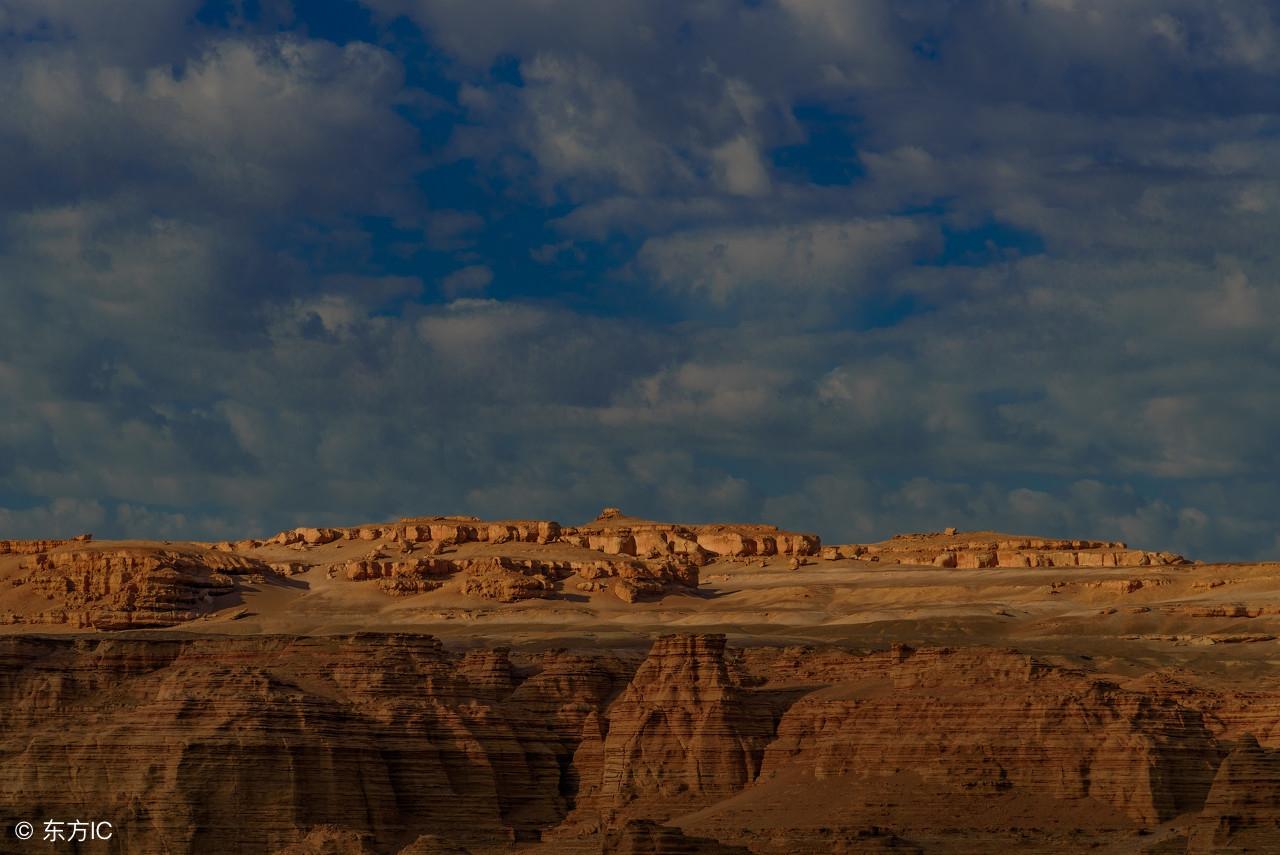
(990, 723)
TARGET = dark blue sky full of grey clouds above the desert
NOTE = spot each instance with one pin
(853, 267)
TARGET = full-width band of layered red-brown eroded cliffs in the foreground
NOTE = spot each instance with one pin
(395, 744)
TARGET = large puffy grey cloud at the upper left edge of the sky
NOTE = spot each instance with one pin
(245, 125)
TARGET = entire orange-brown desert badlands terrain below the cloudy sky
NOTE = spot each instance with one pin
(625, 687)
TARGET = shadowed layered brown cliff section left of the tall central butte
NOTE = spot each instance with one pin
(248, 746)
